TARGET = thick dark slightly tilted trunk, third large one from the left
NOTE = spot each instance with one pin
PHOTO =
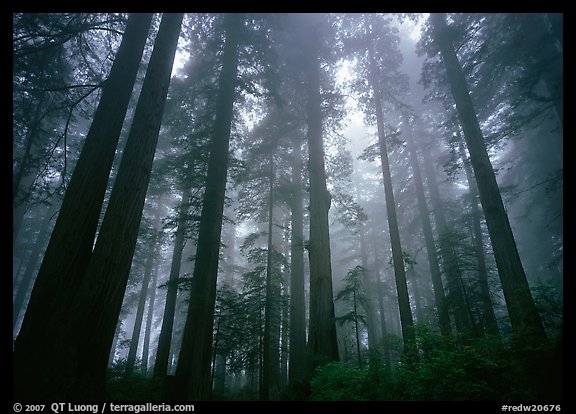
(193, 371)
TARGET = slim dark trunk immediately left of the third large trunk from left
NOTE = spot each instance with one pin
(165, 337)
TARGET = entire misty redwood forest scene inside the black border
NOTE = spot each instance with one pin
(288, 206)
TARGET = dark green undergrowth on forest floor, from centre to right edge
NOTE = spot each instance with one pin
(486, 369)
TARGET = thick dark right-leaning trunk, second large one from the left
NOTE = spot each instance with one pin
(96, 307)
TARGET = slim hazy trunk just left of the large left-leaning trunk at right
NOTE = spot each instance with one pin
(489, 318)
